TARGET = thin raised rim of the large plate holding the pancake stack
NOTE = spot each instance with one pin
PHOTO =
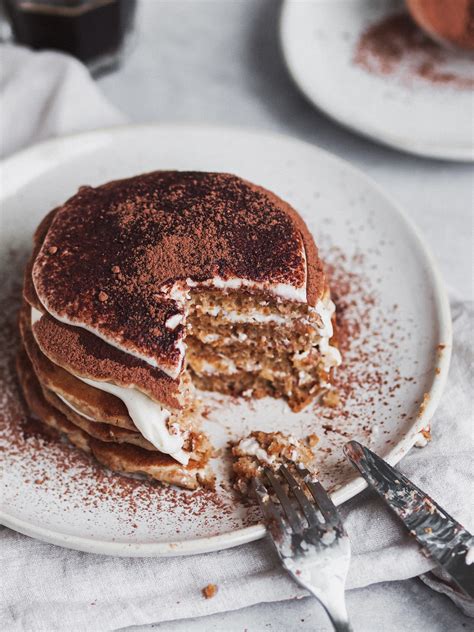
(19, 168)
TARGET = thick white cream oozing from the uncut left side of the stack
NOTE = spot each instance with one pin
(148, 416)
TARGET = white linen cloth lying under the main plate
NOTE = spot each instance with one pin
(43, 587)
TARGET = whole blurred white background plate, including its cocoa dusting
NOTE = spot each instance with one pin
(418, 100)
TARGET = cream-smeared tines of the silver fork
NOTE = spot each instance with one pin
(295, 511)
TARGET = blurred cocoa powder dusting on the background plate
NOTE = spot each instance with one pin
(396, 46)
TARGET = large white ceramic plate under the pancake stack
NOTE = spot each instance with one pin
(383, 274)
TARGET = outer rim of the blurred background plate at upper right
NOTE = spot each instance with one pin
(330, 107)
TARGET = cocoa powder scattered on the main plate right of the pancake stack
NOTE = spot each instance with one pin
(369, 380)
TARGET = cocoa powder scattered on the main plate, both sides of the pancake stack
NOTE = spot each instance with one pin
(367, 381)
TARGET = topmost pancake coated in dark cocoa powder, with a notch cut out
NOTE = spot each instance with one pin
(113, 256)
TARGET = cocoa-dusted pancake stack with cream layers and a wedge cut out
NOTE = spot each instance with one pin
(142, 288)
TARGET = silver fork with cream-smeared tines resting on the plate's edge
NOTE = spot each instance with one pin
(309, 537)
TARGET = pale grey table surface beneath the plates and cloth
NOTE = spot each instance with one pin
(219, 62)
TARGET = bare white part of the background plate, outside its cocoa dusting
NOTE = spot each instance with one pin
(319, 38)
